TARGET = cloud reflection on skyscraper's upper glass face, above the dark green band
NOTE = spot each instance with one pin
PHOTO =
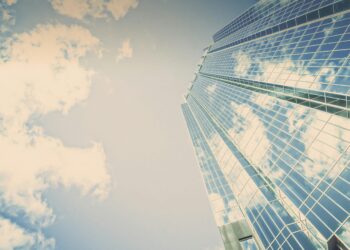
(284, 71)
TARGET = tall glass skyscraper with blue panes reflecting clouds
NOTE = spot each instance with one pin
(269, 116)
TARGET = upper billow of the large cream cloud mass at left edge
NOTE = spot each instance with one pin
(44, 71)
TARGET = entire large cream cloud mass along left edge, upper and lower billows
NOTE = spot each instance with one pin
(41, 73)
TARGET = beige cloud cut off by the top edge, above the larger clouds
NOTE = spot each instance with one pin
(80, 9)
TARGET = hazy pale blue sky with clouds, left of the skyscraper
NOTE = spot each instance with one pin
(96, 154)
